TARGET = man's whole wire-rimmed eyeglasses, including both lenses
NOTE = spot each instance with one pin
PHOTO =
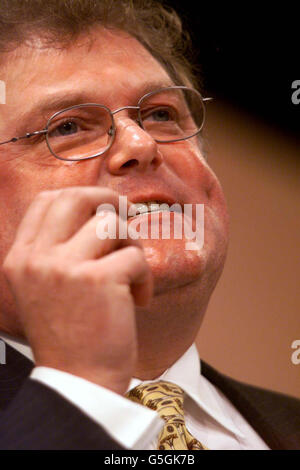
(86, 131)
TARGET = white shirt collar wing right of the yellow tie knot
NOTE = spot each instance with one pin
(186, 373)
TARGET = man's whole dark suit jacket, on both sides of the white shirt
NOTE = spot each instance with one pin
(33, 416)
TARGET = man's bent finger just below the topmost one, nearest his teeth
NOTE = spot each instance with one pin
(98, 237)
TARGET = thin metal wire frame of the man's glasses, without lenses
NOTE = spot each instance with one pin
(112, 131)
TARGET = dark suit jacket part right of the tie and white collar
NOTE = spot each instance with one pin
(274, 416)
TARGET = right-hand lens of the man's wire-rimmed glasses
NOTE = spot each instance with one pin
(172, 114)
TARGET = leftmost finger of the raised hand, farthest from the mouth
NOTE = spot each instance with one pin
(34, 216)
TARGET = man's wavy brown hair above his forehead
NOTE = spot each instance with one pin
(59, 22)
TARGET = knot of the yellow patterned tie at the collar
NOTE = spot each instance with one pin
(164, 397)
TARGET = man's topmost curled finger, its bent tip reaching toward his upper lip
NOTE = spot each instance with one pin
(71, 209)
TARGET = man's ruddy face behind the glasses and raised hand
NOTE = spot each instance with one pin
(114, 70)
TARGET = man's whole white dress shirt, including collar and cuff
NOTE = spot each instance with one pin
(209, 415)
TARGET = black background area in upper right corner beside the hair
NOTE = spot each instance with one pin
(249, 55)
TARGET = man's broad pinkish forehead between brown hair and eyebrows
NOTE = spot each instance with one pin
(105, 63)
